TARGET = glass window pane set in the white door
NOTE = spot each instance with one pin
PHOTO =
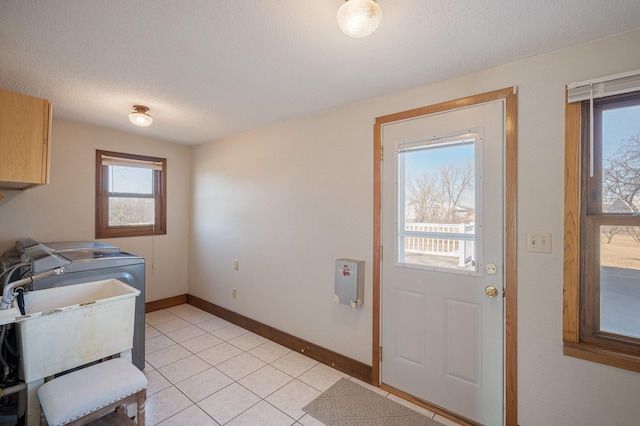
(437, 202)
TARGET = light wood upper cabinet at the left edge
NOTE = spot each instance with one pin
(25, 140)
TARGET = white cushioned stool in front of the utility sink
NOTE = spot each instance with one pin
(78, 397)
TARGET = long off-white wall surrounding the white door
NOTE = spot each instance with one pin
(288, 199)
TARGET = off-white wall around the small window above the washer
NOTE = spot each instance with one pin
(64, 210)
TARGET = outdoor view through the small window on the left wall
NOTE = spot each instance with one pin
(137, 208)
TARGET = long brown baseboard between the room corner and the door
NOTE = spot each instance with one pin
(340, 362)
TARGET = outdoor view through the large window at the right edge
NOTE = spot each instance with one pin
(620, 245)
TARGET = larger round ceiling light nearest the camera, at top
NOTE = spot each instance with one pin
(359, 18)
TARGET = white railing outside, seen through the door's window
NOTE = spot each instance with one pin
(440, 239)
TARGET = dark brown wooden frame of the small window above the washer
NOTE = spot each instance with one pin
(103, 230)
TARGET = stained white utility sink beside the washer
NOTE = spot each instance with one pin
(70, 326)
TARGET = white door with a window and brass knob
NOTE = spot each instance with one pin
(442, 324)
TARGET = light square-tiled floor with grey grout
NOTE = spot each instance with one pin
(203, 370)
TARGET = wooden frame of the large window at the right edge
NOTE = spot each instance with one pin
(580, 338)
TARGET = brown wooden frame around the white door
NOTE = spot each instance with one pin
(509, 95)
